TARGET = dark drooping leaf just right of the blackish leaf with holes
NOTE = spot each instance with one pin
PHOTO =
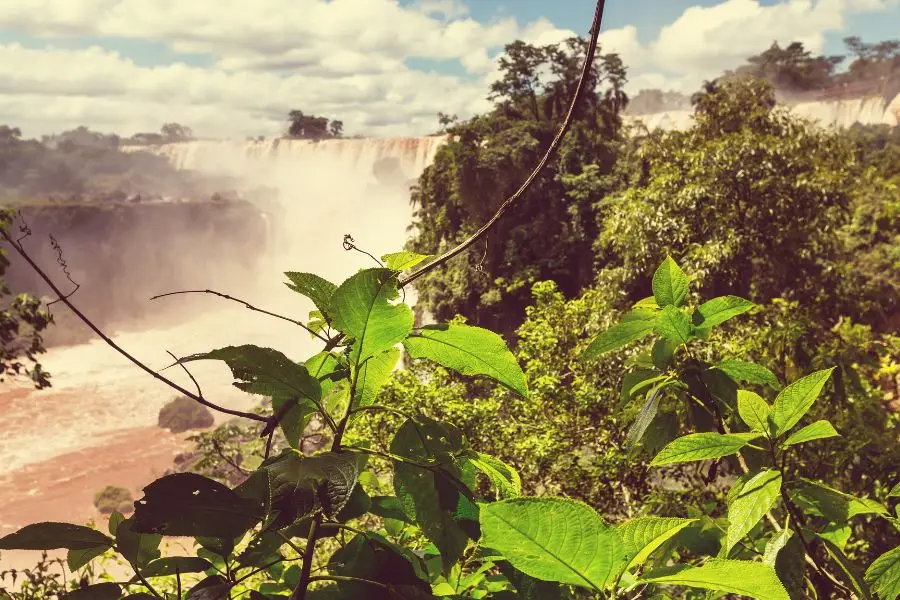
(300, 485)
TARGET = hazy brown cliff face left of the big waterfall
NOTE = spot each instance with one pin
(122, 254)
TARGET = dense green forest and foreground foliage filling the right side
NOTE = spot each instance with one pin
(670, 370)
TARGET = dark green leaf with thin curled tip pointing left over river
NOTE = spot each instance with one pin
(264, 371)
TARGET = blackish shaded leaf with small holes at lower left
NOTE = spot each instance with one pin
(187, 504)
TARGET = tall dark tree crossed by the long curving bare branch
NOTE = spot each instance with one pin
(486, 158)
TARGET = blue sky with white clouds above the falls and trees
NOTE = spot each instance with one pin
(235, 68)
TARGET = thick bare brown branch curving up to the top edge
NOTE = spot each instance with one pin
(554, 145)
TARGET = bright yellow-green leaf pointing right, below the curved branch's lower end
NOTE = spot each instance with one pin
(470, 351)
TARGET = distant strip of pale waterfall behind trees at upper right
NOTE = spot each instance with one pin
(842, 113)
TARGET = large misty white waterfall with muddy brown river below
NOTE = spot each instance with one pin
(102, 409)
